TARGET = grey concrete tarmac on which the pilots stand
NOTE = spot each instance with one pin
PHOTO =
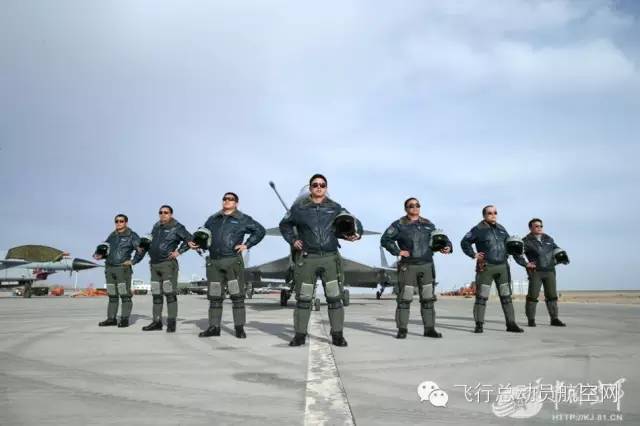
(58, 367)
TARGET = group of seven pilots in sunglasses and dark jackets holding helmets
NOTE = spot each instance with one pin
(312, 226)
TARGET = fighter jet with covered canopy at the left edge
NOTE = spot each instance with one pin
(24, 265)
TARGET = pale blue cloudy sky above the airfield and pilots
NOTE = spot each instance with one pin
(110, 107)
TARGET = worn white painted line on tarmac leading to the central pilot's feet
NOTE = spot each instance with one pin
(326, 400)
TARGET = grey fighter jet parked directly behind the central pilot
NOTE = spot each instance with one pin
(356, 274)
